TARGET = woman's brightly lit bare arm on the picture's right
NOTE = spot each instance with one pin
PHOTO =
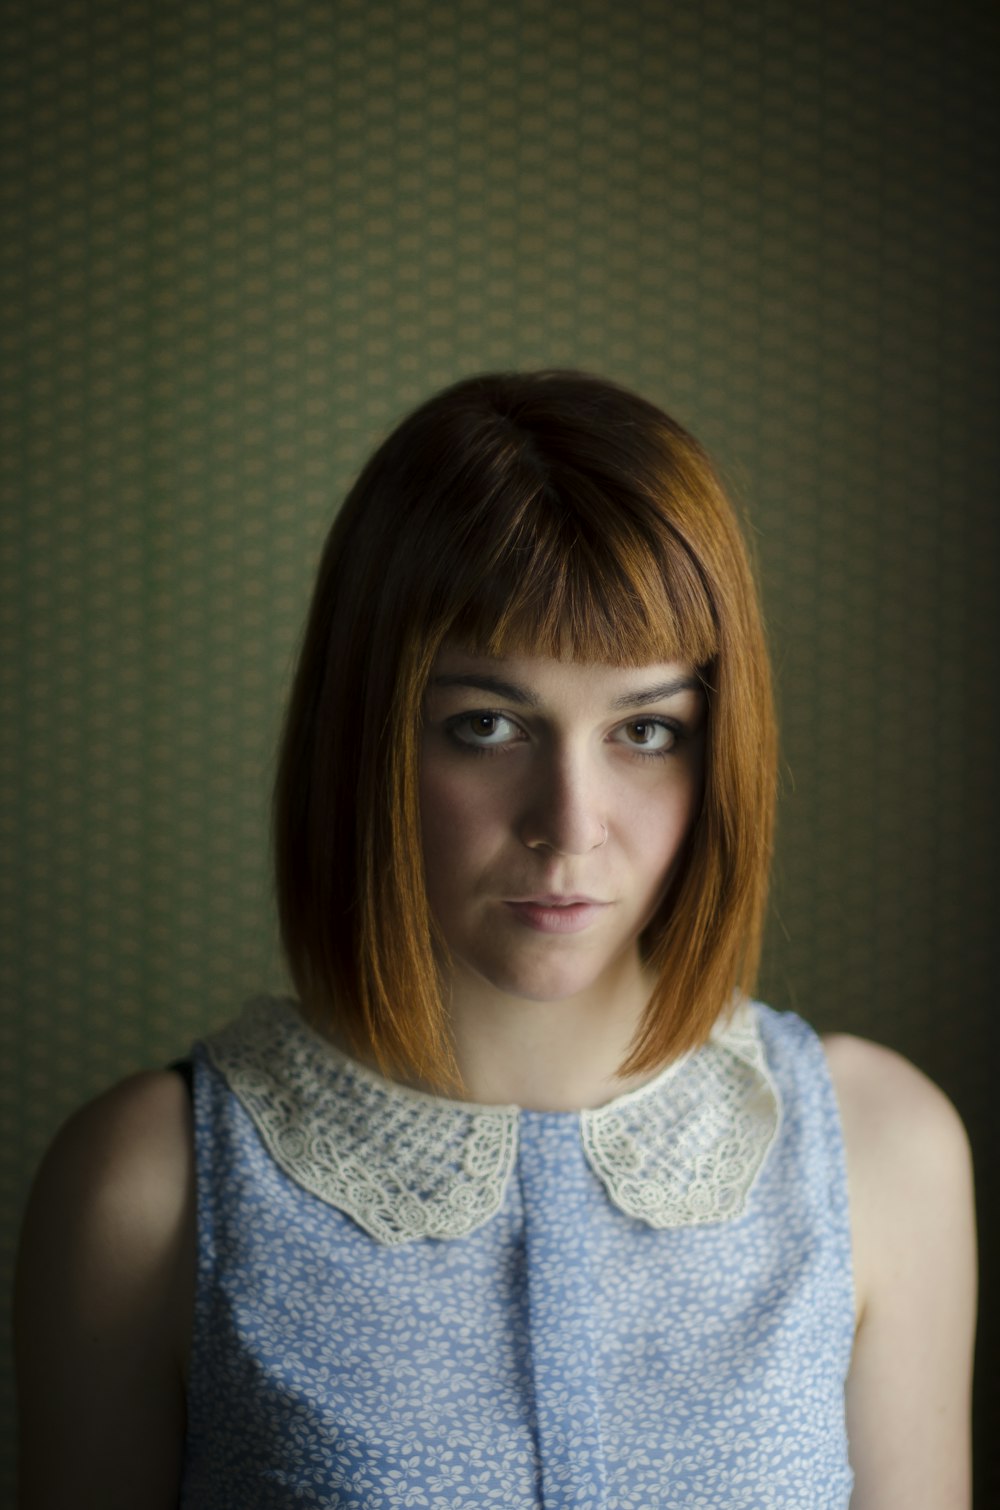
(912, 1204)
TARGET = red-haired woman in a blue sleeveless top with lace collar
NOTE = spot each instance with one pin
(523, 1201)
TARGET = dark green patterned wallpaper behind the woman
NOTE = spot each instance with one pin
(241, 239)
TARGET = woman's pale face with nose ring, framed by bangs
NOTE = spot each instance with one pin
(555, 801)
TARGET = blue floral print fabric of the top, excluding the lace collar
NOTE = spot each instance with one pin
(561, 1355)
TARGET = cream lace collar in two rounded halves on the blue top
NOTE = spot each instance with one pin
(685, 1150)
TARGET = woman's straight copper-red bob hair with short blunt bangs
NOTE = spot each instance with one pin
(545, 514)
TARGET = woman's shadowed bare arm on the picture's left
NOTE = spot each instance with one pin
(103, 1302)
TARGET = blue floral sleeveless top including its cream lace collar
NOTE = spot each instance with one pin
(412, 1301)
